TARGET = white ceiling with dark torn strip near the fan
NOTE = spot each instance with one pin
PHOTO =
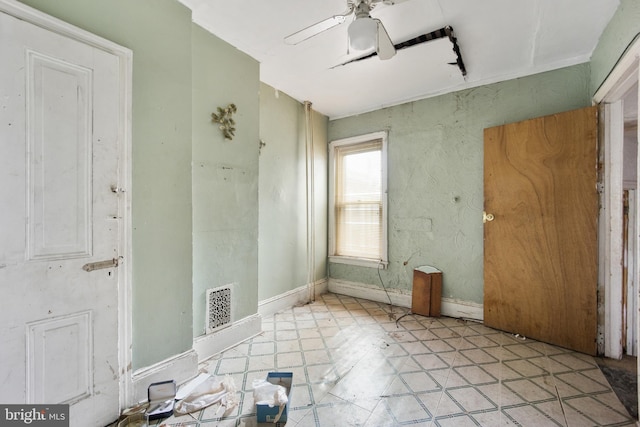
(498, 39)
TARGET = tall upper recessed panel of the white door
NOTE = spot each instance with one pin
(59, 149)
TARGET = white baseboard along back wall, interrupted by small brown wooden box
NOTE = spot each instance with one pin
(449, 307)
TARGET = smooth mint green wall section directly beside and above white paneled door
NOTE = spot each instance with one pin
(159, 34)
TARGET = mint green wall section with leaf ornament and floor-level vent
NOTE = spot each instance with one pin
(225, 177)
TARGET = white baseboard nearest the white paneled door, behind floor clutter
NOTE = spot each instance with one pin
(181, 368)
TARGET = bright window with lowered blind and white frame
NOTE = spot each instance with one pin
(358, 200)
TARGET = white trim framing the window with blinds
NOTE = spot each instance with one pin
(362, 262)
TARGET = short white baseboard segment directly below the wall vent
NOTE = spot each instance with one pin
(211, 344)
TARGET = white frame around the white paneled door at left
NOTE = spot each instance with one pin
(123, 187)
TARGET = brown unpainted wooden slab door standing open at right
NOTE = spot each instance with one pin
(540, 251)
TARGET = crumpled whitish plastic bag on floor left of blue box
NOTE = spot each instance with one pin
(211, 391)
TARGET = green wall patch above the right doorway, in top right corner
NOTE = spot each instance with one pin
(623, 28)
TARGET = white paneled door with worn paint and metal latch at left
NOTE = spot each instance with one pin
(58, 223)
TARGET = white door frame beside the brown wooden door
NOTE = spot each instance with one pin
(610, 94)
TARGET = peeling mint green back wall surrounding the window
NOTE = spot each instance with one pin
(436, 174)
